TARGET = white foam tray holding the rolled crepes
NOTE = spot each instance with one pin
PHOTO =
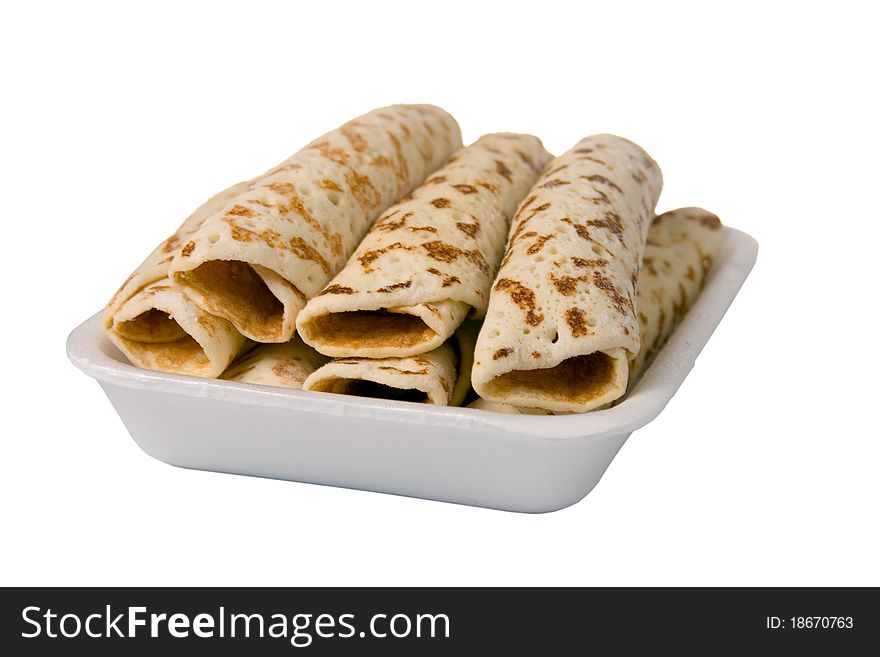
(512, 462)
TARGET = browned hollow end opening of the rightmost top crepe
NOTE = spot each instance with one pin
(579, 379)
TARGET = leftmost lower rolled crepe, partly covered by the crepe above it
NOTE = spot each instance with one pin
(157, 327)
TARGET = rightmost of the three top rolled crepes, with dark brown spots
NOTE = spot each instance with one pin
(561, 324)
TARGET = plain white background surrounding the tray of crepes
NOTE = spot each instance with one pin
(117, 121)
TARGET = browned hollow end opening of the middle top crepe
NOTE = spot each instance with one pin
(364, 329)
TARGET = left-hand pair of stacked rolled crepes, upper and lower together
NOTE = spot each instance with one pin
(239, 270)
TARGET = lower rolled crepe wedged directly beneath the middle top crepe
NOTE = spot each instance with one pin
(440, 376)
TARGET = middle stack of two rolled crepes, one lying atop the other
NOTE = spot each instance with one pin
(394, 318)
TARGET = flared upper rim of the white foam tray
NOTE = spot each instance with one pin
(91, 351)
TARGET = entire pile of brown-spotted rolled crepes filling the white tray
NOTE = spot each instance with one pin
(384, 260)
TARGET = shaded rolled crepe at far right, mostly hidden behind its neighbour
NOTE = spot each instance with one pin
(682, 244)
